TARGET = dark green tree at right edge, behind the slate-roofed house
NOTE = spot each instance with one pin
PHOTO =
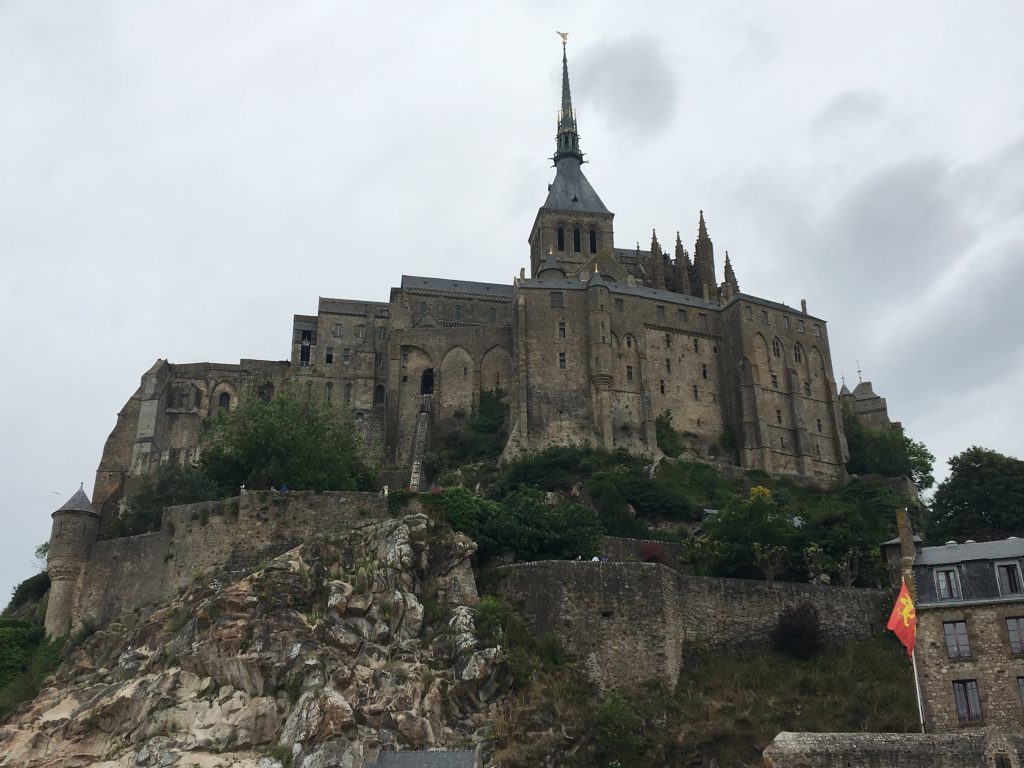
(984, 498)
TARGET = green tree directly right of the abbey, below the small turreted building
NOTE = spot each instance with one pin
(886, 452)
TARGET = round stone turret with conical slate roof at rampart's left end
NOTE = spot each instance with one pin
(75, 530)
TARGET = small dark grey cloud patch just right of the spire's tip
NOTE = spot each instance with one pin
(629, 83)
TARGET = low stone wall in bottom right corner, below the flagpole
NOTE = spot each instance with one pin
(893, 750)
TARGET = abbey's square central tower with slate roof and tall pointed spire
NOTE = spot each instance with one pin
(573, 224)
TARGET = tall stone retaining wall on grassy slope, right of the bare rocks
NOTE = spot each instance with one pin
(628, 622)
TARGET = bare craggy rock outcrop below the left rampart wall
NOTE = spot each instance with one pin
(328, 655)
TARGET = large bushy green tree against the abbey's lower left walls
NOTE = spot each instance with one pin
(307, 444)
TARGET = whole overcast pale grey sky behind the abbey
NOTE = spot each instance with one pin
(179, 180)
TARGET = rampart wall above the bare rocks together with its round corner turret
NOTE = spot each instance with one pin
(98, 581)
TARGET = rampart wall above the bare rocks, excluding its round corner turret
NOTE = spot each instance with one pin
(196, 540)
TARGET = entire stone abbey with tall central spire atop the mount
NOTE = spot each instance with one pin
(590, 349)
